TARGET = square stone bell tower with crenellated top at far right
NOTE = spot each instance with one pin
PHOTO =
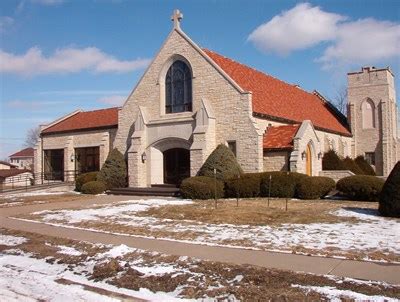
(372, 114)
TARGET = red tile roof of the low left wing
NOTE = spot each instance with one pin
(103, 118)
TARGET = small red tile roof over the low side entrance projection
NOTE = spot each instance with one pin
(280, 137)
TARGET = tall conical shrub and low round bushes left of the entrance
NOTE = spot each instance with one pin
(112, 175)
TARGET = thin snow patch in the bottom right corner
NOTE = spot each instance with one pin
(334, 294)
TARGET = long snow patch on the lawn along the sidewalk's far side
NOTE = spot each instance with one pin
(369, 233)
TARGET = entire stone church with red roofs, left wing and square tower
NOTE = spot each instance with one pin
(190, 99)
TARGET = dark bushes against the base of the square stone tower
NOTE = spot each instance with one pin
(359, 165)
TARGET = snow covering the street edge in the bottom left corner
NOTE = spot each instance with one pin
(28, 279)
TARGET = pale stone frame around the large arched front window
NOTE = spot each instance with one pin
(161, 83)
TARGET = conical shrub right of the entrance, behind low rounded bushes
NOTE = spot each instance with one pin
(224, 161)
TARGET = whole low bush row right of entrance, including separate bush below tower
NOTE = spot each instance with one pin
(282, 185)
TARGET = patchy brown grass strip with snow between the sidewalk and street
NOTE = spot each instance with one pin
(191, 278)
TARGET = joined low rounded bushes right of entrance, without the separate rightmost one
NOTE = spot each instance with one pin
(273, 184)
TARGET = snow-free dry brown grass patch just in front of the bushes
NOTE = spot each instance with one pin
(257, 212)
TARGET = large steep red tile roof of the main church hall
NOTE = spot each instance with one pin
(275, 98)
